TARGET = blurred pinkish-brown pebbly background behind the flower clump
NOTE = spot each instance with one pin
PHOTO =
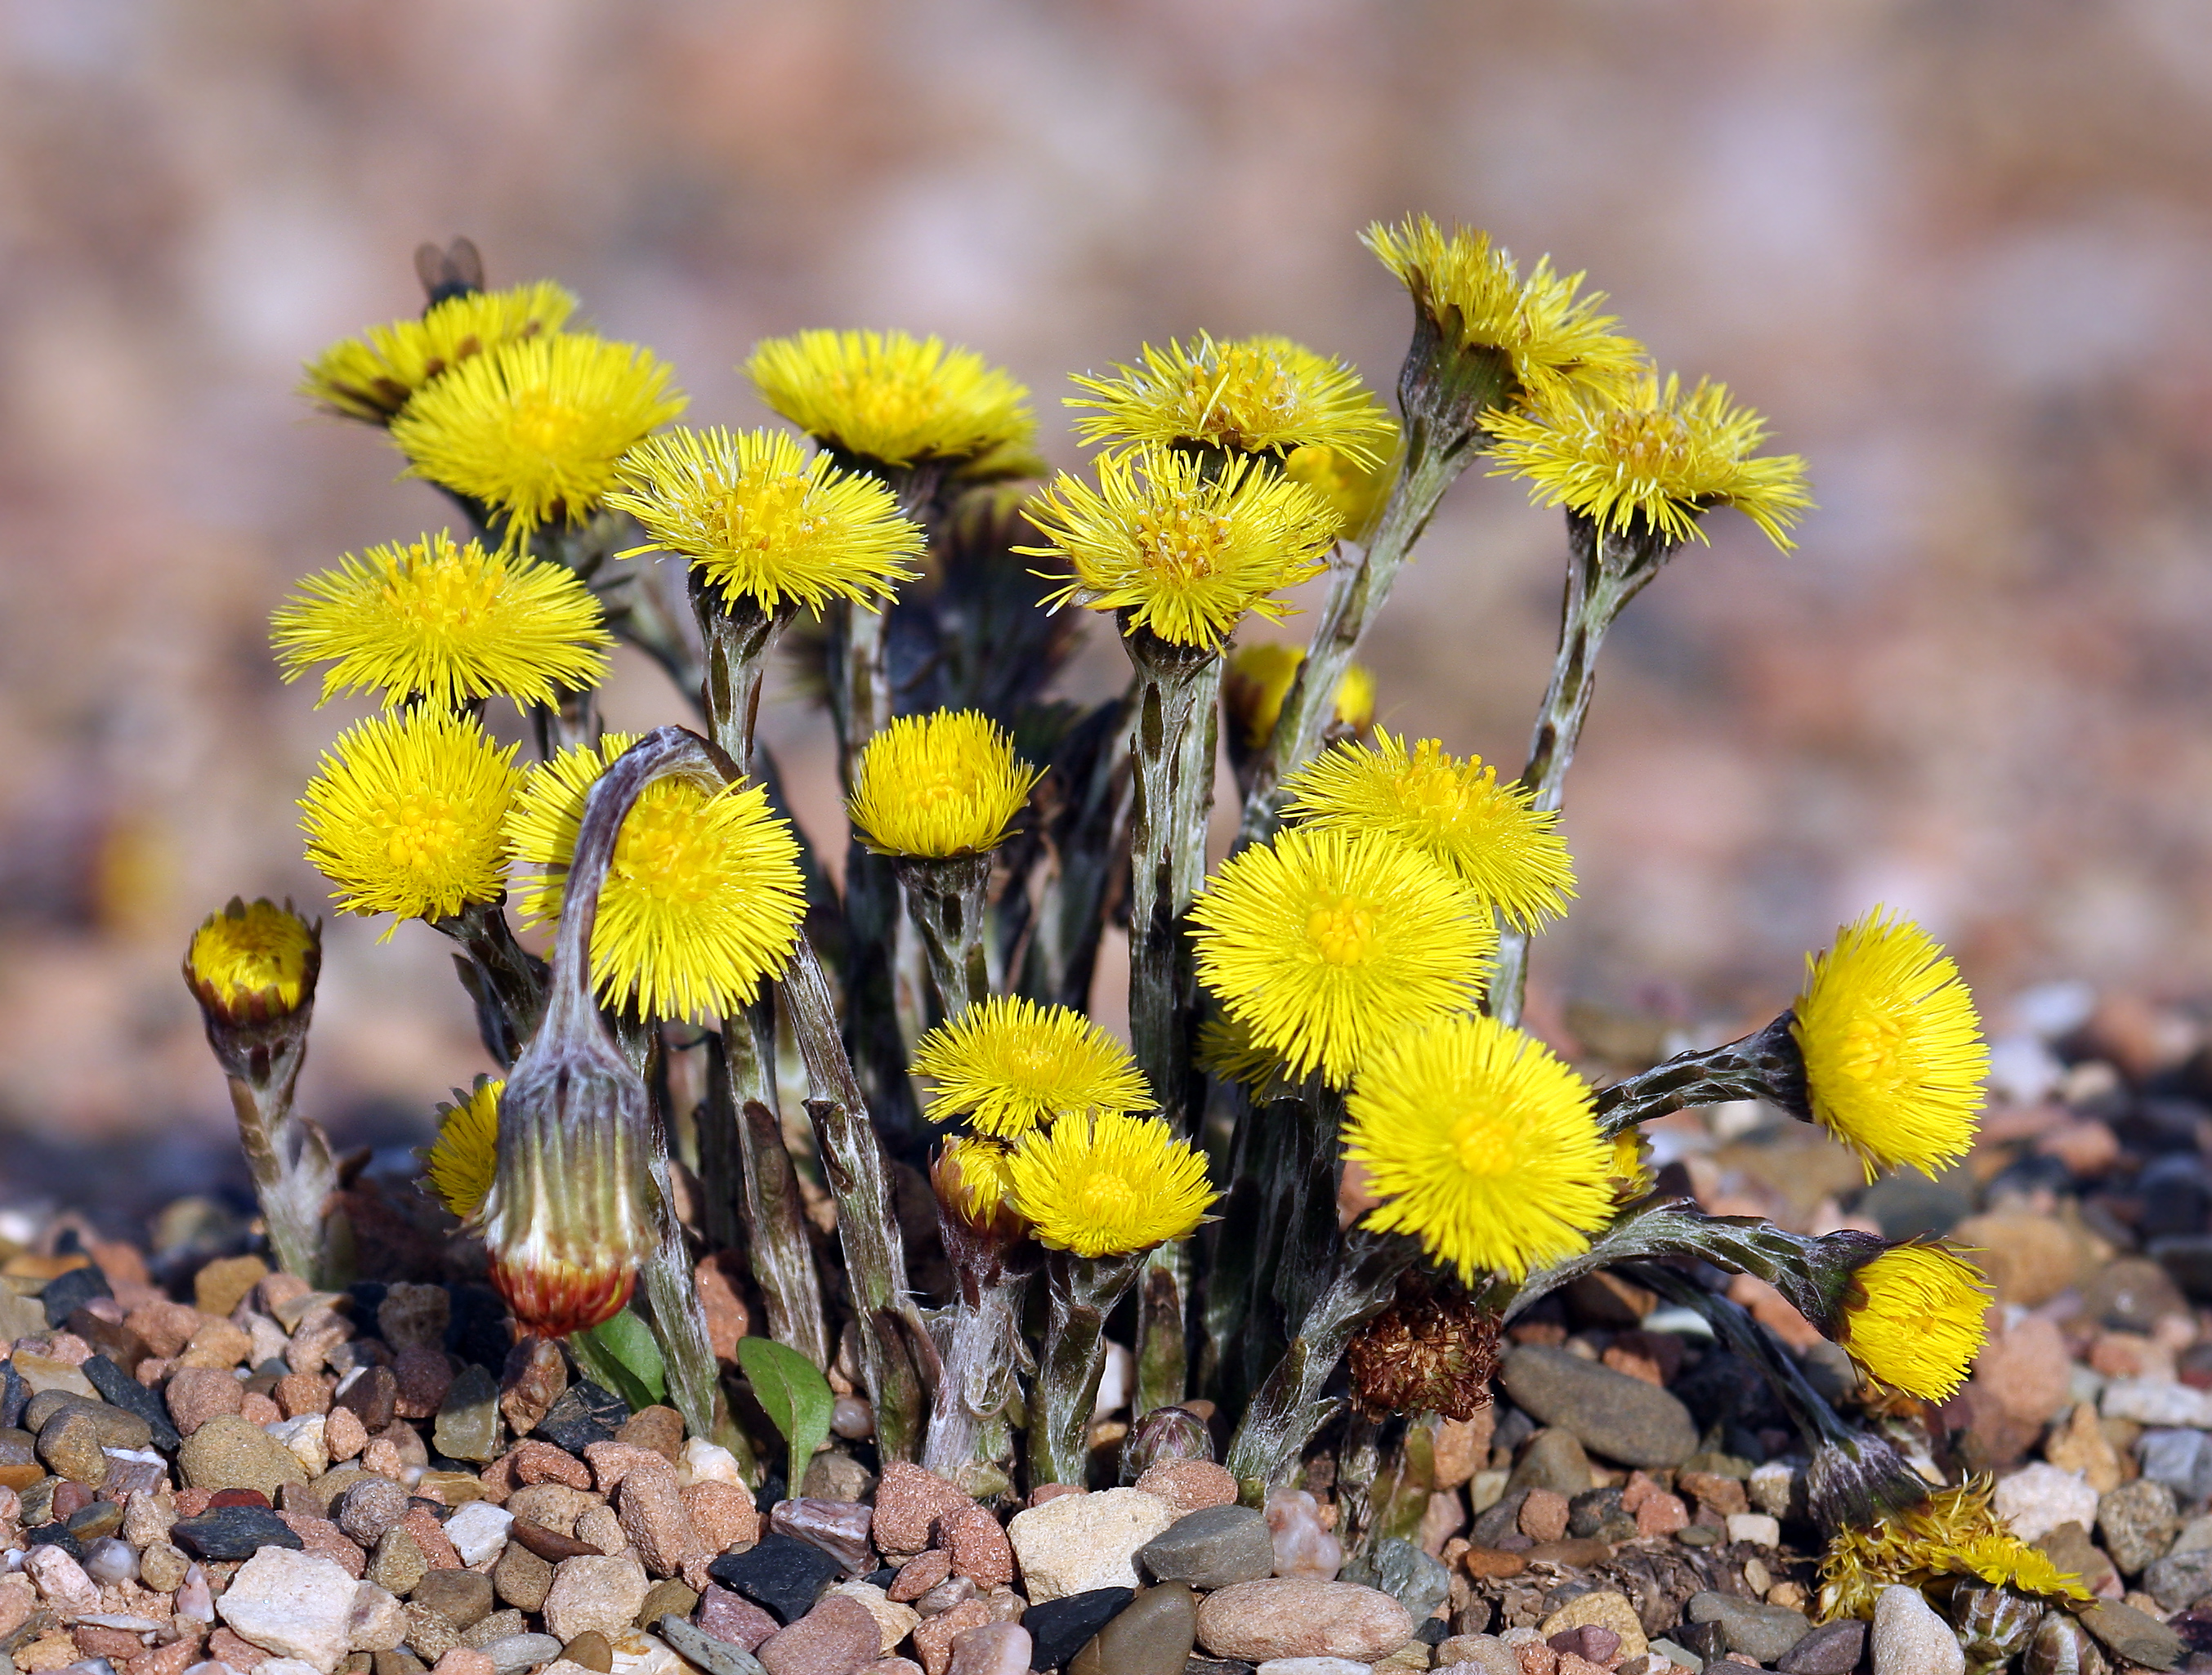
(1954, 249)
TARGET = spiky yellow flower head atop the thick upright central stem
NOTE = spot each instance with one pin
(1182, 550)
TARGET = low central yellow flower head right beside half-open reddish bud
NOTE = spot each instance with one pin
(1109, 1185)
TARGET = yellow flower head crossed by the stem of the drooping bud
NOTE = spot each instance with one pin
(700, 904)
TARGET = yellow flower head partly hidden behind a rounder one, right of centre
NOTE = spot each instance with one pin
(1450, 809)
